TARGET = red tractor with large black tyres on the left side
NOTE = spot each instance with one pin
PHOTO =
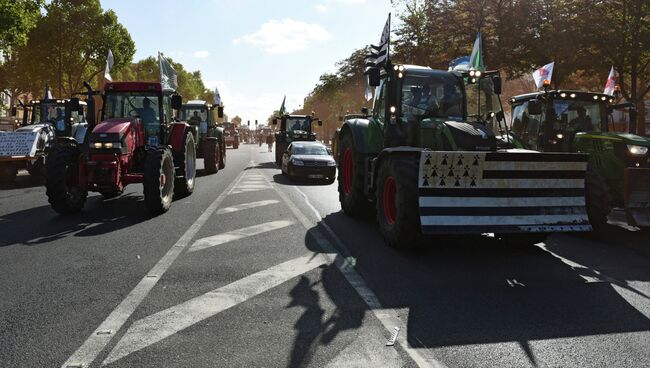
(137, 141)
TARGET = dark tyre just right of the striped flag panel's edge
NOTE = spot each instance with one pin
(598, 200)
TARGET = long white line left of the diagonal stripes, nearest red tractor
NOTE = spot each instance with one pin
(97, 341)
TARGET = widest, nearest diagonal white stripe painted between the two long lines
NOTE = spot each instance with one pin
(153, 328)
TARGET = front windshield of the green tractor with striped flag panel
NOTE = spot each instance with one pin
(438, 96)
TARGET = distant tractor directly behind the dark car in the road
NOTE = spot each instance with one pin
(293, 128)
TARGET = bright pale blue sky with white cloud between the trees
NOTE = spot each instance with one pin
(255, 52)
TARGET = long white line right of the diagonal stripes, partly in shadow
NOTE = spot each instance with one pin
(387, 316)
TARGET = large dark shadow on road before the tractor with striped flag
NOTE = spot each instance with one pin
(476, 290)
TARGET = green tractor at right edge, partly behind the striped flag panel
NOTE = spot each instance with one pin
(575, 121)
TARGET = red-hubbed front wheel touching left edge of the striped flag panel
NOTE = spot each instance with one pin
(398, 215)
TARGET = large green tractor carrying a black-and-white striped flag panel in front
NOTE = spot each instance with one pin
(426, 162)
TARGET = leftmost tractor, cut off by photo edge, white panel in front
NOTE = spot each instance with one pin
(43, 122)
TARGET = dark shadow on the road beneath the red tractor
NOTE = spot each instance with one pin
(40, 225)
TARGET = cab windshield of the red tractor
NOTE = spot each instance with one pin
(124, 105)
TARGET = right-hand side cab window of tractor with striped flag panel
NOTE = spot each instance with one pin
(481, 100)
